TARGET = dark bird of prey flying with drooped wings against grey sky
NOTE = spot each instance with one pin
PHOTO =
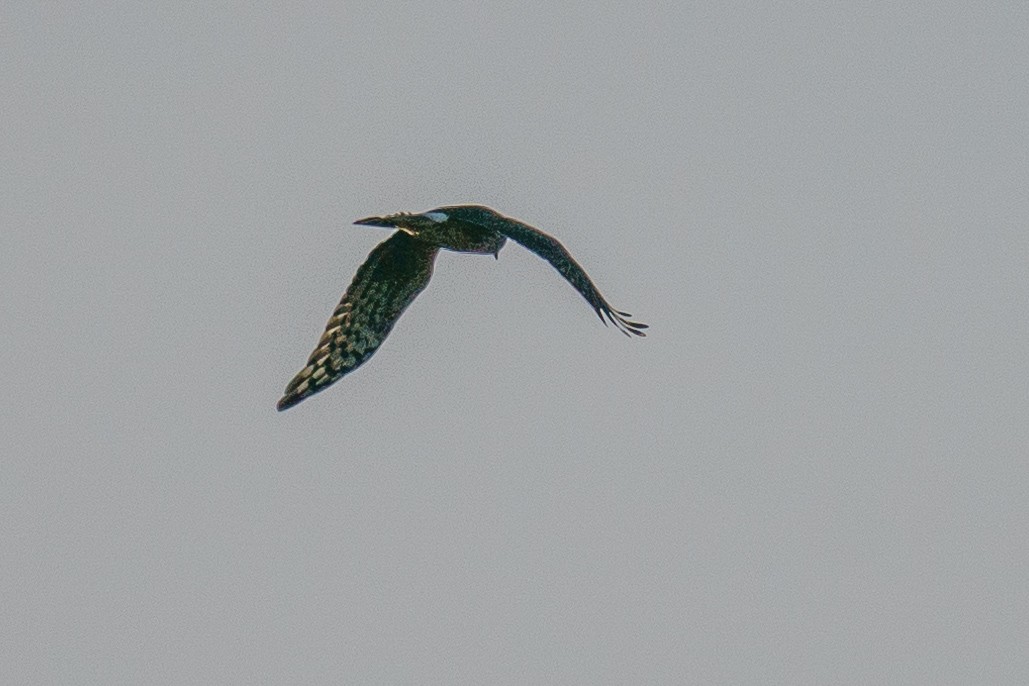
(400, 268)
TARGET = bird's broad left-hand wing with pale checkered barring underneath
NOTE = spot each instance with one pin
(395, 273)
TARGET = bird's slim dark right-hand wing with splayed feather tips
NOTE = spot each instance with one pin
(551, 249)
